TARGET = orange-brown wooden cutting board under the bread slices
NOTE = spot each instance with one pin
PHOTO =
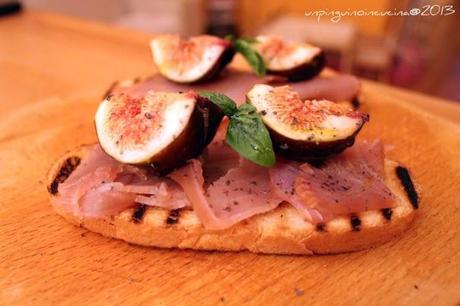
(49, 96)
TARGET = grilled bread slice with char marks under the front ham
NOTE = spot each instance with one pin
(281, 231)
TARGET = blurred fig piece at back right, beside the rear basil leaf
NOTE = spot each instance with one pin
(295, 61)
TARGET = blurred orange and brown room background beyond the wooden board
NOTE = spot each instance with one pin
(421, 53)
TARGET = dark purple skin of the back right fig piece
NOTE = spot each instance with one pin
(305, 71)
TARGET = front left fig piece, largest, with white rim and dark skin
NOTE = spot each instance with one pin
(160, 129)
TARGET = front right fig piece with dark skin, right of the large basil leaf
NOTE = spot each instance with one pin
(305, 130)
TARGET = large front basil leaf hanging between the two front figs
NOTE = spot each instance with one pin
(248, 135)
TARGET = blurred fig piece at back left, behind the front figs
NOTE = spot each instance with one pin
(196, 59)
